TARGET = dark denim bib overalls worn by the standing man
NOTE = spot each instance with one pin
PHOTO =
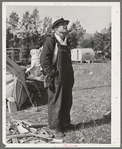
(60, 96)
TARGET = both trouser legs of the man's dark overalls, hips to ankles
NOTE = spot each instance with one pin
(60, 101)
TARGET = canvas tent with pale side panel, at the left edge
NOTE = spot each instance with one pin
(16, 84)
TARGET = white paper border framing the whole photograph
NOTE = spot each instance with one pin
(115, 71)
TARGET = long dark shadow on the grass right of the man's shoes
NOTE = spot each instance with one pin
(97, 122)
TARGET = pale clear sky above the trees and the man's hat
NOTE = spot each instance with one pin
(92, 18)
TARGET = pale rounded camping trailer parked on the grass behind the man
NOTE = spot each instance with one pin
(82, 54)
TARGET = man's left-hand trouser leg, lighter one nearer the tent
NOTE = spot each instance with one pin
(54, 107)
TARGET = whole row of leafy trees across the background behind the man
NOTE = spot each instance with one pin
(30, 33)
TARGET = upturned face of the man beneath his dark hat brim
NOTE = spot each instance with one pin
(61, 27)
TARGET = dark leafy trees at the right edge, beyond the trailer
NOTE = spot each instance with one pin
(100, 43)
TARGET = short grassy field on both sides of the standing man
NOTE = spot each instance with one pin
(91, 100)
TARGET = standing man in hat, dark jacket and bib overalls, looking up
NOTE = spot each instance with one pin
(60, 77)
